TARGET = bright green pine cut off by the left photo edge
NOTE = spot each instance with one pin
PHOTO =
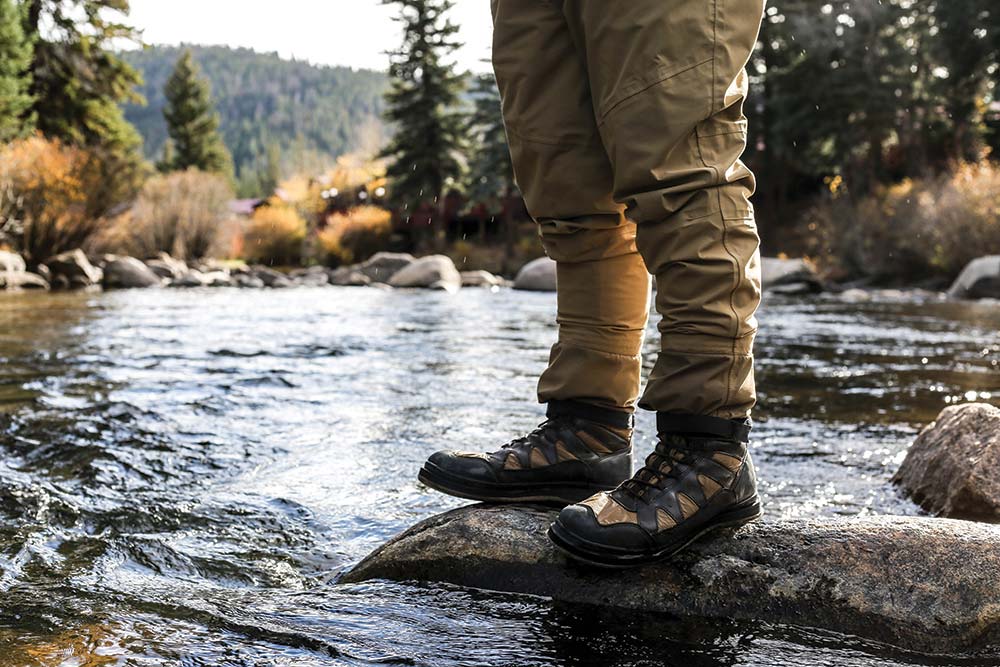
(15, 78)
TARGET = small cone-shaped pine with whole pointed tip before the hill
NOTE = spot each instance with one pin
(192, 123)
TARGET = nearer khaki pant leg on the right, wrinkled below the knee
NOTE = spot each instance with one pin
(668, 84)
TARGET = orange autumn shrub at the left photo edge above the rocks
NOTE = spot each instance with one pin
(51, 197)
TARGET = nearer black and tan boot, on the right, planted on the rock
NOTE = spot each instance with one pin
(699, 478)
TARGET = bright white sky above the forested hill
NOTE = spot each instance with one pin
(328, 32)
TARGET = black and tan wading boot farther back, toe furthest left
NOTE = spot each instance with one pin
(579, 450)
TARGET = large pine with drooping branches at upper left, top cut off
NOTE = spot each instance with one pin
(78, 82)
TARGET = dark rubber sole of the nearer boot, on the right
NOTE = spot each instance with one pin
(593, 554)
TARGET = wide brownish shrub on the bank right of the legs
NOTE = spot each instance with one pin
(914, 230)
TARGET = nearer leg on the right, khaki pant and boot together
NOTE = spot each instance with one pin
(668, 84)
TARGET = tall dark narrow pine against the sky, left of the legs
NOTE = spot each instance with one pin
(423, 106)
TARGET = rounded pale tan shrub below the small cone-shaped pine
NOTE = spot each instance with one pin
(180, 214)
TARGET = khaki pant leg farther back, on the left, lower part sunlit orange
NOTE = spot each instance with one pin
(565, 176)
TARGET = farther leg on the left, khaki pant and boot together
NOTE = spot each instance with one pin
(592, 379)
